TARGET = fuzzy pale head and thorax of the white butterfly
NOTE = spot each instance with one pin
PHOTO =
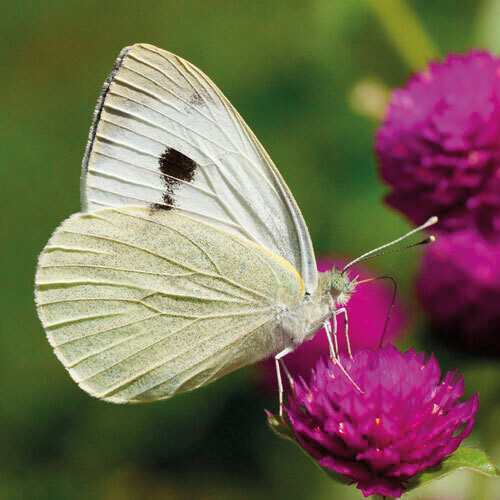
(333, 290)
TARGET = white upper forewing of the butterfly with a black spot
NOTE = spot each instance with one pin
(165, 136)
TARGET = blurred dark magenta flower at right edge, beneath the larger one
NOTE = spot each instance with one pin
(459, 287)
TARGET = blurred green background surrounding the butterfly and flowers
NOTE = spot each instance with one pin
(310, 78)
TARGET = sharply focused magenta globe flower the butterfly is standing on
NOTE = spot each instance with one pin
(403, 422)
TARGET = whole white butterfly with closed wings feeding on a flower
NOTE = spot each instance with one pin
(190, 257)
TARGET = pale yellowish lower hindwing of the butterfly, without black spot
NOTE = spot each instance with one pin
(141, 305)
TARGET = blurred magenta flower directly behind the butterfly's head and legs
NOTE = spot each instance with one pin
(367, 310)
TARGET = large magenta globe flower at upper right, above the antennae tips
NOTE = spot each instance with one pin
(439, 146)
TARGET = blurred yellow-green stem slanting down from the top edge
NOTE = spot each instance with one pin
(405, 30)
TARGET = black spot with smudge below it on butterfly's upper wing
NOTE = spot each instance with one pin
(175, 167)
